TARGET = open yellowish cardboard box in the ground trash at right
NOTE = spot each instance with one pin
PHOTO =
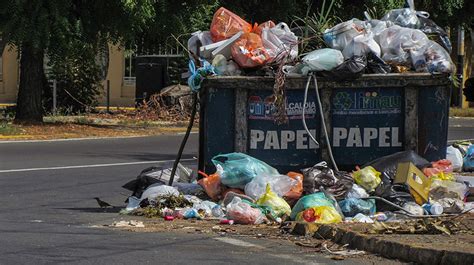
(409, 174)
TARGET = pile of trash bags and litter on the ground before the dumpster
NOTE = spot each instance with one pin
(245, 190)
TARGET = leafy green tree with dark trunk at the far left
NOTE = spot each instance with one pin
(38, 27)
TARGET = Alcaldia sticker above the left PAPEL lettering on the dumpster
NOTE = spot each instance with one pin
(264, 109)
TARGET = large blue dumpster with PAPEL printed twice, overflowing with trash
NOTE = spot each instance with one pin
(366, 118)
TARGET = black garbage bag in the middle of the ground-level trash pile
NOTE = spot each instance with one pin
(320, 175)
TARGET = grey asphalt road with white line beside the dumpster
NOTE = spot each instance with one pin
(48, 216)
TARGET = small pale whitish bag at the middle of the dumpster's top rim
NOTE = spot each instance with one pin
(323, 59)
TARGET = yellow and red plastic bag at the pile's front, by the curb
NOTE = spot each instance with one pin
(319, 215)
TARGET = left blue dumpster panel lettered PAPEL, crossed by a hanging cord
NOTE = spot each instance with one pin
(285, 146)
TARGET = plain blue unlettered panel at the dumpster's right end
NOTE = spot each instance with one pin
(433, 117)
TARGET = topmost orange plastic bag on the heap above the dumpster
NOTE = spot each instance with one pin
(226, 24)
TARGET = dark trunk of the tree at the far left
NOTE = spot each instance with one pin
(29, 107)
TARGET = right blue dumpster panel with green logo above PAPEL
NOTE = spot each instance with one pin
(366, 123)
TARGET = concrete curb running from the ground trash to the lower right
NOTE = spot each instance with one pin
(385, 248)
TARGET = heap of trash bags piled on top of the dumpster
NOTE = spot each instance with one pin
(398, 42)
